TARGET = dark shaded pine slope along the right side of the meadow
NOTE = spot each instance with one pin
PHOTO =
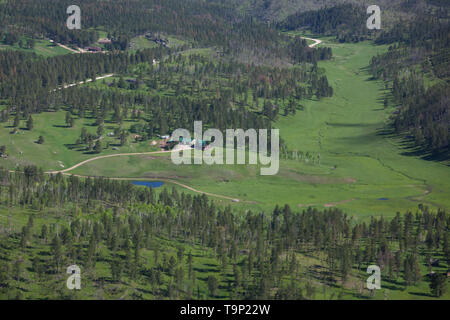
(423, 112)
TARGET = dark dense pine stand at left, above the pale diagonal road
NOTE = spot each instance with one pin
(28, 82)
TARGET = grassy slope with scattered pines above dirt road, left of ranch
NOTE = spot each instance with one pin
(58, 147)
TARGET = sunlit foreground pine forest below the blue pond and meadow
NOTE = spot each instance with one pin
(256, 255)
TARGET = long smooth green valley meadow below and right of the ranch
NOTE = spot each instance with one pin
(362, 170)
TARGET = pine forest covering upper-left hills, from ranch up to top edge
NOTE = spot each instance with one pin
(29, 84)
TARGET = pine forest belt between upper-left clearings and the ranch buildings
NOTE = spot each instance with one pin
(221, 92)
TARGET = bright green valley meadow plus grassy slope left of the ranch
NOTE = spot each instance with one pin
(363, 169)
